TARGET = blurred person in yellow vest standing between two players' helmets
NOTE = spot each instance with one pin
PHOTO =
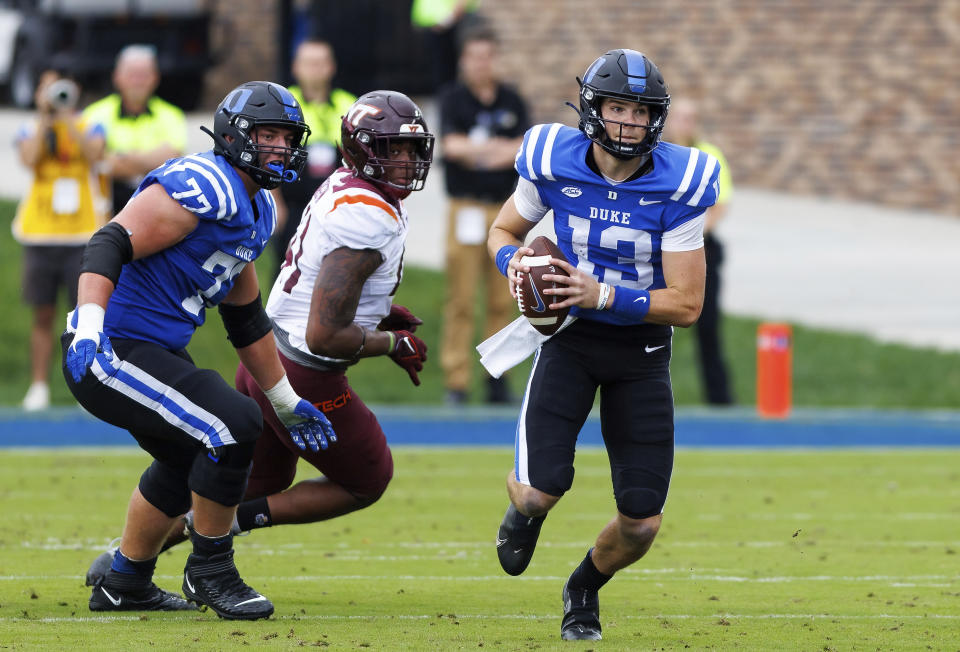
(323, 108)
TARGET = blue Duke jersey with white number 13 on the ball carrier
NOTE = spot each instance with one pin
(614, 230)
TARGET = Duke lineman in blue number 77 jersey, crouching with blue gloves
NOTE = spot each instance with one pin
(183, 244)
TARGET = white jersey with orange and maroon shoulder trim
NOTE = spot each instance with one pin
(346, 211)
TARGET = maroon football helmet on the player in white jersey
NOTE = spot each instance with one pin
(374, 123)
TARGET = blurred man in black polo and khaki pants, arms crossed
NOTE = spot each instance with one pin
(482, 127)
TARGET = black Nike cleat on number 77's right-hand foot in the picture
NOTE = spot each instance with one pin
(216, 583)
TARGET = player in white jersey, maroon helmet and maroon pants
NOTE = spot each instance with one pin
(332, 305)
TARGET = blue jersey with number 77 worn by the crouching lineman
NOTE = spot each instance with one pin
(162, 298)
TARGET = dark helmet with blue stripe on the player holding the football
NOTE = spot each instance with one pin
(623, 75)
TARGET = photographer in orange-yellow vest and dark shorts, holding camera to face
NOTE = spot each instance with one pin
(59, 213)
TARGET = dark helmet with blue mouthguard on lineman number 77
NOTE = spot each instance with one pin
(244, 109)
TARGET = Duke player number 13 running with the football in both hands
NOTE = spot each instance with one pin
(628, 213)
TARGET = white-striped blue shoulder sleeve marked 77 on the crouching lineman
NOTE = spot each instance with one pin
(199, 185)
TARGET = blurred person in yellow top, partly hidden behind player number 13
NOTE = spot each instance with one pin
(683, 128)
